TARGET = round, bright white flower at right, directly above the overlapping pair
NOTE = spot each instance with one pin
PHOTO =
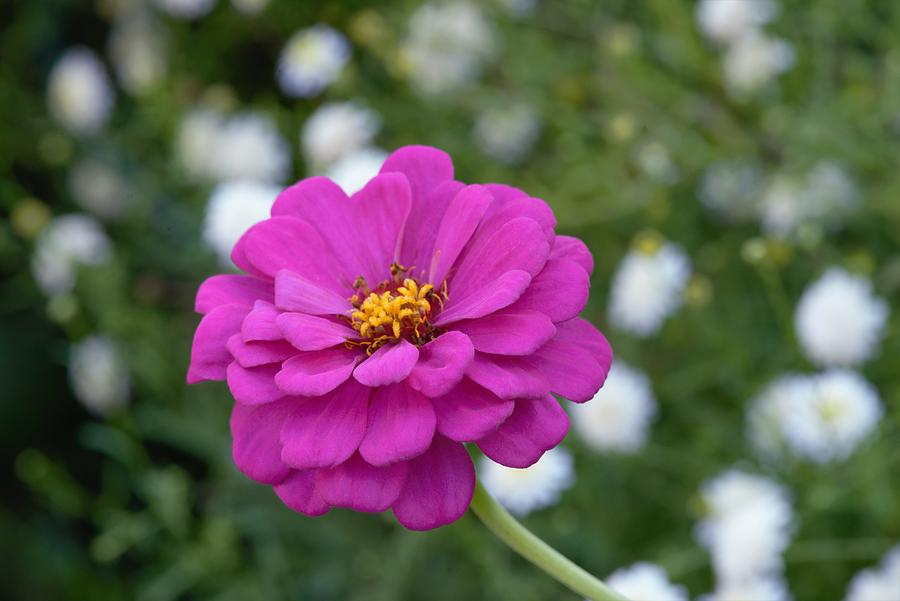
(839, 321)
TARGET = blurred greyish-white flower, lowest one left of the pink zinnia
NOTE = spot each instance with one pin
(98, 376)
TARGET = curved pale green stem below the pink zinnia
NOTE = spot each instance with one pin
(526, 544)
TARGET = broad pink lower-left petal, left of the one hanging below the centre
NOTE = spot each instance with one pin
(325, 431)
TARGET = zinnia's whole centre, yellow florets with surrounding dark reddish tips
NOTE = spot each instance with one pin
(395, 309)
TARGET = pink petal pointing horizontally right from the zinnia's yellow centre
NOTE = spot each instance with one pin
(509, 331)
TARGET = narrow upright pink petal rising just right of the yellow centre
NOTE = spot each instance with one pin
(457, 227)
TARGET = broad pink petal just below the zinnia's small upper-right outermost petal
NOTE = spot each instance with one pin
(560, 290)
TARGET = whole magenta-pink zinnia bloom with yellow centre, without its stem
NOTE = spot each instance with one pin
(373, 335)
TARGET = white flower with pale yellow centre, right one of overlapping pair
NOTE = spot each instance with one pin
(838, 412)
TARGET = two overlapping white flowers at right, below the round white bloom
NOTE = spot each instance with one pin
(822, 417)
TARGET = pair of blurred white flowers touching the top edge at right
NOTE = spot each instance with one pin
(752, 57)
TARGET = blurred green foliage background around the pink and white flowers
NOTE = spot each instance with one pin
(629, 106)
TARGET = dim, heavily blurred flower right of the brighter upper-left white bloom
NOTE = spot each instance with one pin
(137, 52)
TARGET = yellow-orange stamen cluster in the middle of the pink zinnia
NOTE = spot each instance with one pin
(383, 317)
